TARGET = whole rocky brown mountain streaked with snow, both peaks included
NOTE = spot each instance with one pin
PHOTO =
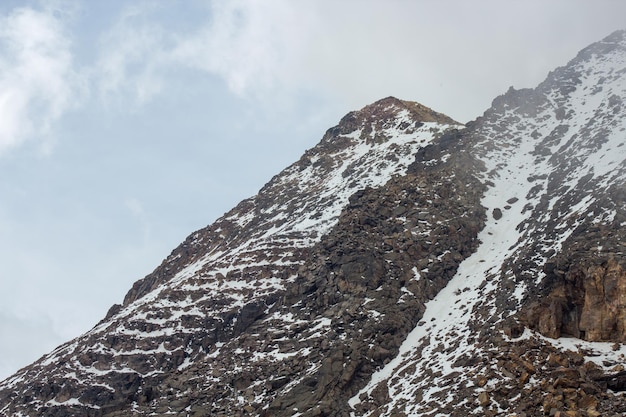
(407, 265)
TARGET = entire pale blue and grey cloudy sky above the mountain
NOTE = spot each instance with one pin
(127, 125)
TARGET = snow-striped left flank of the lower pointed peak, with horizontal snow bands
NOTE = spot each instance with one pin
(163, 317)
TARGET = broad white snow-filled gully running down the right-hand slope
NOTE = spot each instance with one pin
(441, 337)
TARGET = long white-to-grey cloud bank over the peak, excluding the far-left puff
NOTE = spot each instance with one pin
(352, 52)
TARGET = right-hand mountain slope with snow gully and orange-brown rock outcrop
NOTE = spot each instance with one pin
(550, 263)
